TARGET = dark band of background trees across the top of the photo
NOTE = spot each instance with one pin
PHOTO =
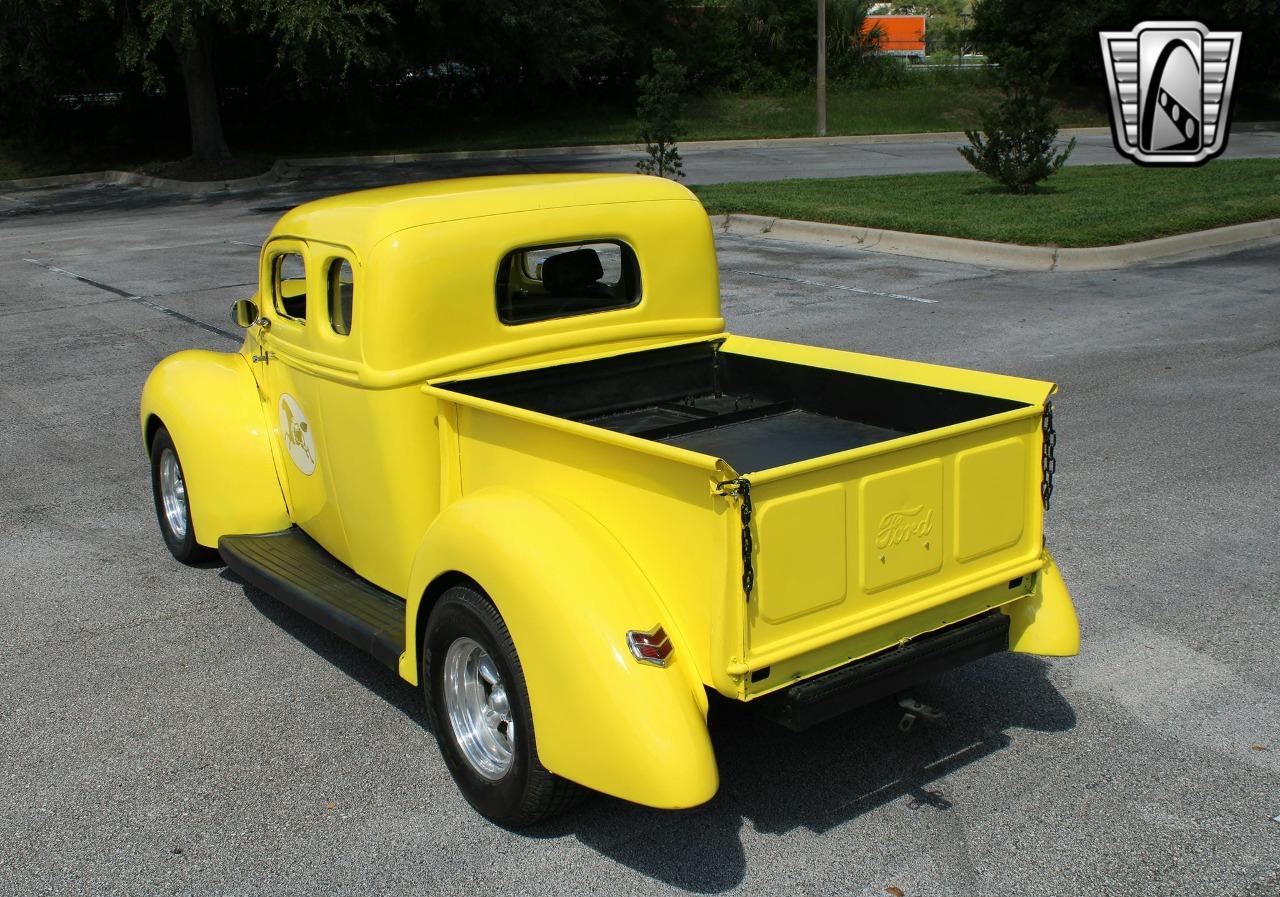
(145, 77)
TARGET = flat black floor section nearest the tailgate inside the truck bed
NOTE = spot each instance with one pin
(780, 440)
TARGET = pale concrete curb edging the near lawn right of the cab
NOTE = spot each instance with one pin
(1007, 257)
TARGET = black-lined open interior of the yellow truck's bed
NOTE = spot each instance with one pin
(753, 413)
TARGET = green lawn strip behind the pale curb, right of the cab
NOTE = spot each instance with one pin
(1091, 205)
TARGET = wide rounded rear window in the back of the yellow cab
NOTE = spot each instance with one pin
(540, 283)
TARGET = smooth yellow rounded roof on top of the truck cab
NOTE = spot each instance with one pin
(360, 221)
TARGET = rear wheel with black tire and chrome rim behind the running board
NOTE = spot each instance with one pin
(478, 706)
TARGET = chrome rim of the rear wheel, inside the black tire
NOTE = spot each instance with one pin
(476, 702)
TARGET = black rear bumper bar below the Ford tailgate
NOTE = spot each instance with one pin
(881, 675)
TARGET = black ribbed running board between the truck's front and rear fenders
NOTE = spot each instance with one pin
(291, 568)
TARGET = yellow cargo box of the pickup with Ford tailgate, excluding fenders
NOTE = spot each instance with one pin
(889, 498)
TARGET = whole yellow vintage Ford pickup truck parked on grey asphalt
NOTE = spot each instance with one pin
(493, 432)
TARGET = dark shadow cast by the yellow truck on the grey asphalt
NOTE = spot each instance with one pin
(772, 779)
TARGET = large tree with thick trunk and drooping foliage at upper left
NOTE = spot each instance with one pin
(342, 31)
